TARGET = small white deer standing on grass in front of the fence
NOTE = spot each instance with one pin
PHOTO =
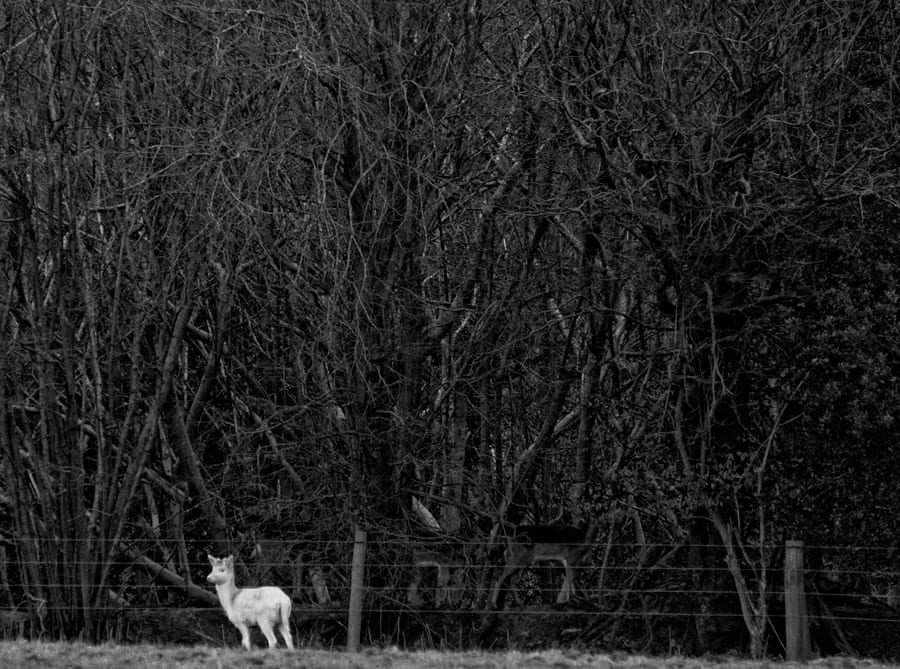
(247, 607)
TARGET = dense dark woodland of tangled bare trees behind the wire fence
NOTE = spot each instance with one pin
(272, 270)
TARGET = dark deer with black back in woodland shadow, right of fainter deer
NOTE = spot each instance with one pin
(568, 545)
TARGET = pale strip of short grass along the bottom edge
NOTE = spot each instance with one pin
(83, 656)
